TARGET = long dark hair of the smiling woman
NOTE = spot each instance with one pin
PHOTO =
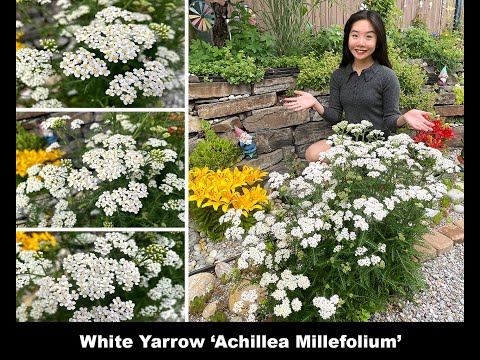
(381, 51)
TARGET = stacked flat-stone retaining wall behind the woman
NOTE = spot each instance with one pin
(279, 132)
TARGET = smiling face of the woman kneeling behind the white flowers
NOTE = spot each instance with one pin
(362, 41)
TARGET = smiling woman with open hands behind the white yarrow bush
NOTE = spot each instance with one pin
(364, 86)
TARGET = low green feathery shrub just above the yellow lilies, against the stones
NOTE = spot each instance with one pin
(213, 152)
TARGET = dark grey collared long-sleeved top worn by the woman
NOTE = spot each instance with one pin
(372, 96)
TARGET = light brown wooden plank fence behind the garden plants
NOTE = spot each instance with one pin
(438, 14)
